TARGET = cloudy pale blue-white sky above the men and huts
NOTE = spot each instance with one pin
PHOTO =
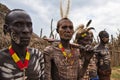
(105, 14)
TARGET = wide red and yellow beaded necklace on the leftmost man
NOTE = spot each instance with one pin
(17, 60)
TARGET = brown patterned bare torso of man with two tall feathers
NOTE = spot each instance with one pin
(56, 66)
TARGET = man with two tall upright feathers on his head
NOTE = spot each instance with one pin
(62, 58)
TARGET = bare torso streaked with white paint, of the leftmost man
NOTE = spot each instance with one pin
(10, 71)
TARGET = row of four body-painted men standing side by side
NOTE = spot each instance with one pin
(61, 61)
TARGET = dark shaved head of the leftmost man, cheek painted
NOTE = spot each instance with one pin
(19, 25)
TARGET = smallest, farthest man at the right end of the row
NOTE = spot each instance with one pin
(104, 59)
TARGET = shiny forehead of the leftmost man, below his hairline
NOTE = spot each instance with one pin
(18, 16)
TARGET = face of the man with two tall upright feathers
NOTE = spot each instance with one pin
(66, 30)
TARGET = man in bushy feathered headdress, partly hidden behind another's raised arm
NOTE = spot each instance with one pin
(84, 37)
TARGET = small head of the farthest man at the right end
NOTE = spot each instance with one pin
(104, 36)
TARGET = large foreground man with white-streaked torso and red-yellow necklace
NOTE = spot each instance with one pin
(17, 62)
